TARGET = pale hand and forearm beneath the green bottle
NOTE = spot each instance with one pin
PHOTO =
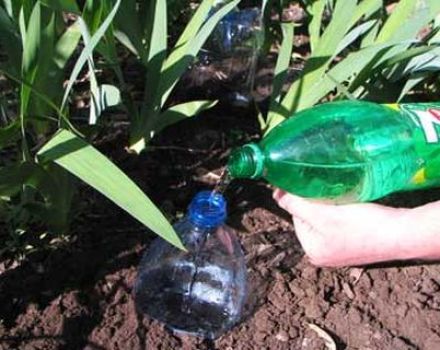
(362, 233)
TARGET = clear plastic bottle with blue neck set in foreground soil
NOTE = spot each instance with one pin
(201, 291)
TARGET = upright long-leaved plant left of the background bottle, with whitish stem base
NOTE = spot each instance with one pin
(142, 28)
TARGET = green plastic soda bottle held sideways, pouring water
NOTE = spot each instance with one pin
(348, 151)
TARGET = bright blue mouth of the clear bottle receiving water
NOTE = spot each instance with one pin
(208, 209)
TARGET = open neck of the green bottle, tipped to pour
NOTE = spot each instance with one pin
(246, 162)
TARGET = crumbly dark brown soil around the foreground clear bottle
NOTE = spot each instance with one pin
(78, 296)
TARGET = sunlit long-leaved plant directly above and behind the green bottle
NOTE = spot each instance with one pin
(355, 48)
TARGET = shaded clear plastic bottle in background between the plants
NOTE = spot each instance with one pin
(225, 67)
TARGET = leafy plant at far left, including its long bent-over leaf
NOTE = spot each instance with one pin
(37, 186)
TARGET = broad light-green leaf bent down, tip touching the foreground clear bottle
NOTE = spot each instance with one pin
(85, 162)
